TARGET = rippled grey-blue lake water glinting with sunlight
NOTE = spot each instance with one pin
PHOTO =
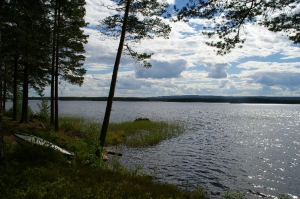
(250, 147)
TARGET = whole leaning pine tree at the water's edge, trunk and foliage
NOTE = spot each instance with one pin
(131, 29)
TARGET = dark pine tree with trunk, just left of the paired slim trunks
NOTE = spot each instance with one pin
(34, 42)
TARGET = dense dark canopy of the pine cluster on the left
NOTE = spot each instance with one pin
(29, 31)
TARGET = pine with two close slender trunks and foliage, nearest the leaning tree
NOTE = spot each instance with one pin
(68, 49)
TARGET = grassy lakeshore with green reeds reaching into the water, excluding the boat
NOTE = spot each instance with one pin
(39, 172)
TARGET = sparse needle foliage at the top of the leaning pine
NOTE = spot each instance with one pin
(144, 22)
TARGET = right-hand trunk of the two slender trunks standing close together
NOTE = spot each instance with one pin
(56, 72)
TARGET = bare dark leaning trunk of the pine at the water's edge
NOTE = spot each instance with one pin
(114, 78)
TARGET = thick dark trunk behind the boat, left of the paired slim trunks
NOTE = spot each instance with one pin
(24, 118)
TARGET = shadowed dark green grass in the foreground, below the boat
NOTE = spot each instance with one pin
(38, 172)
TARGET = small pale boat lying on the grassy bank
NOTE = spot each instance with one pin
(23, 138)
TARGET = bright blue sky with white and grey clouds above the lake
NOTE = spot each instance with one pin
(267, 65)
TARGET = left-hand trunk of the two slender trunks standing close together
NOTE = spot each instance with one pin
(53, 67)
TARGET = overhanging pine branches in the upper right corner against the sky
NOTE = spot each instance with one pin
(230, 16)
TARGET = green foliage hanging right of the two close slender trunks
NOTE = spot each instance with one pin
(71, 40)
